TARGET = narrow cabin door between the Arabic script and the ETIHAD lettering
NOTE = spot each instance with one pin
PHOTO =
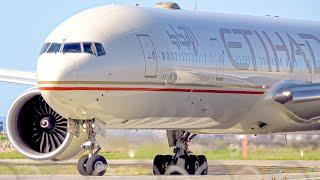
(218, 57)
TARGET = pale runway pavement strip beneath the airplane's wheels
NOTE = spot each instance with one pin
(218, 169)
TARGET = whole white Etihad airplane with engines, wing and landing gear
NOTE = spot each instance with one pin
(130, 67)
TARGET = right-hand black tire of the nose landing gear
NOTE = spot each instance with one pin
(96, 165)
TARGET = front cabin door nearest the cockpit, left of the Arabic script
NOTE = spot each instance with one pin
(150, 56)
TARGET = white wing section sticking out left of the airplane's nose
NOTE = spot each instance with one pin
(18, 77)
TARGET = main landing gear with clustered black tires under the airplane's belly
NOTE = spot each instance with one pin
(183, 162)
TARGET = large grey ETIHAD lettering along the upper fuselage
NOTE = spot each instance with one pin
(291, 50)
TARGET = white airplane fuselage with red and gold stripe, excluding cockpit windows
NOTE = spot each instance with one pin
(175, 69)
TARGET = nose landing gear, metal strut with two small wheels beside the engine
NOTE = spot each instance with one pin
(91, 164)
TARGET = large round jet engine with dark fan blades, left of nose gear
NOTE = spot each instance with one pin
(38, 132)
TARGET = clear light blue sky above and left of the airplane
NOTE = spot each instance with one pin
(26, 23)
